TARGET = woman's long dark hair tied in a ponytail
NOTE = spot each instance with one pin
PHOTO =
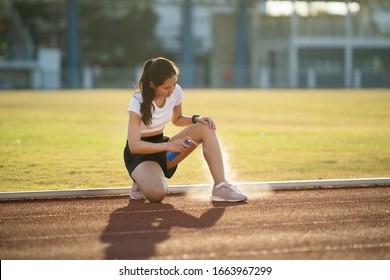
(156, 70)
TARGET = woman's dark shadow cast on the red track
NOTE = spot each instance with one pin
(134, 231)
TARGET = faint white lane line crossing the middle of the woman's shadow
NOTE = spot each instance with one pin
(154, 231)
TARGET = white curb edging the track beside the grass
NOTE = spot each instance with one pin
(185, 188)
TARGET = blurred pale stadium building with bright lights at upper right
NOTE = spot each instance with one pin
(305, 44)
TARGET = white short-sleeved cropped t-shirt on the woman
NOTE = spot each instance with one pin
(161, 116)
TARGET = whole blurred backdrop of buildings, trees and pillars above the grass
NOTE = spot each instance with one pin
(216, 43)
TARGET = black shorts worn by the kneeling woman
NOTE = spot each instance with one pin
(133, 160)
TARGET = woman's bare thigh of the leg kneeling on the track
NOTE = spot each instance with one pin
(151, 180)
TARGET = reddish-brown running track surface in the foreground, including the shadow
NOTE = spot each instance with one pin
(322, 223)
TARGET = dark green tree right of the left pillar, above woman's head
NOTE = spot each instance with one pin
(118, 34)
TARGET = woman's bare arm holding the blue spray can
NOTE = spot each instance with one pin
(137, 146)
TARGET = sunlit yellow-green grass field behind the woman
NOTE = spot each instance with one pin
(74, 139)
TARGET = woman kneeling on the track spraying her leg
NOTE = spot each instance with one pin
(158, 102)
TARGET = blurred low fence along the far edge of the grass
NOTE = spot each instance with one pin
(30, 75)
